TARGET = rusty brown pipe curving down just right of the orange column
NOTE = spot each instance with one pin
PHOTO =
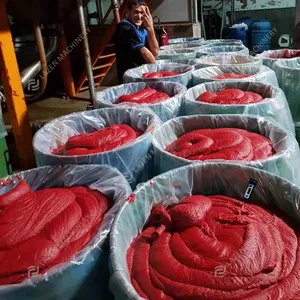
(40, 84)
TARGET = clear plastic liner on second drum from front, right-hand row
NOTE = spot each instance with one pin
(284, 163)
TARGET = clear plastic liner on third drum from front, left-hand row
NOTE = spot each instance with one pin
(165, 110)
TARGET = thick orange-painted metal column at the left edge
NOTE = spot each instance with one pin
(14, 94)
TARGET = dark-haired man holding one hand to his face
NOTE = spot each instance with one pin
(135, 40)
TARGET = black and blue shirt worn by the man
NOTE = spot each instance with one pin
(128, 41)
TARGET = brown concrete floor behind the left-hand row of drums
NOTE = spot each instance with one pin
(50, 108)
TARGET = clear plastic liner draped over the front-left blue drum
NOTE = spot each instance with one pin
(64, 281)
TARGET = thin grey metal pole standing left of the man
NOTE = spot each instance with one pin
(87, 56)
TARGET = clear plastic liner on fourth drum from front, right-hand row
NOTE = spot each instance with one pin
(260, 74)
